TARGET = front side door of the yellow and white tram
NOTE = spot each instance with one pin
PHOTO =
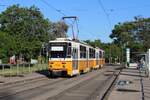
(75, 58)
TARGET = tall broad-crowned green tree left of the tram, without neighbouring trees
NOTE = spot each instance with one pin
(28, 28)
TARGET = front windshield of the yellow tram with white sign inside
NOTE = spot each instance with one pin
(58, 50)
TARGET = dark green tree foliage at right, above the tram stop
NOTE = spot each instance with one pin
(134, 34)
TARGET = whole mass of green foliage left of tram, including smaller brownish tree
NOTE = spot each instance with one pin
(23, 31)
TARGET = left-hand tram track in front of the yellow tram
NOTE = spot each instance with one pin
(18, 88)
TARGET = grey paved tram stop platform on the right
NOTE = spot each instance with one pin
(131, 85)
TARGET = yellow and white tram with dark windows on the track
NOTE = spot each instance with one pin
(73, 58)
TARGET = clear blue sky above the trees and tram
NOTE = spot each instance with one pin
(95, 19)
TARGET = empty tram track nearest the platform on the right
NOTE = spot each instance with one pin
(91, 96)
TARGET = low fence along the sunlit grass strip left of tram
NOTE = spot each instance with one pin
(19, 69)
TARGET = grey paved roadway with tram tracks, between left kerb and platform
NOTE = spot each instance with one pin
(88, 86)
